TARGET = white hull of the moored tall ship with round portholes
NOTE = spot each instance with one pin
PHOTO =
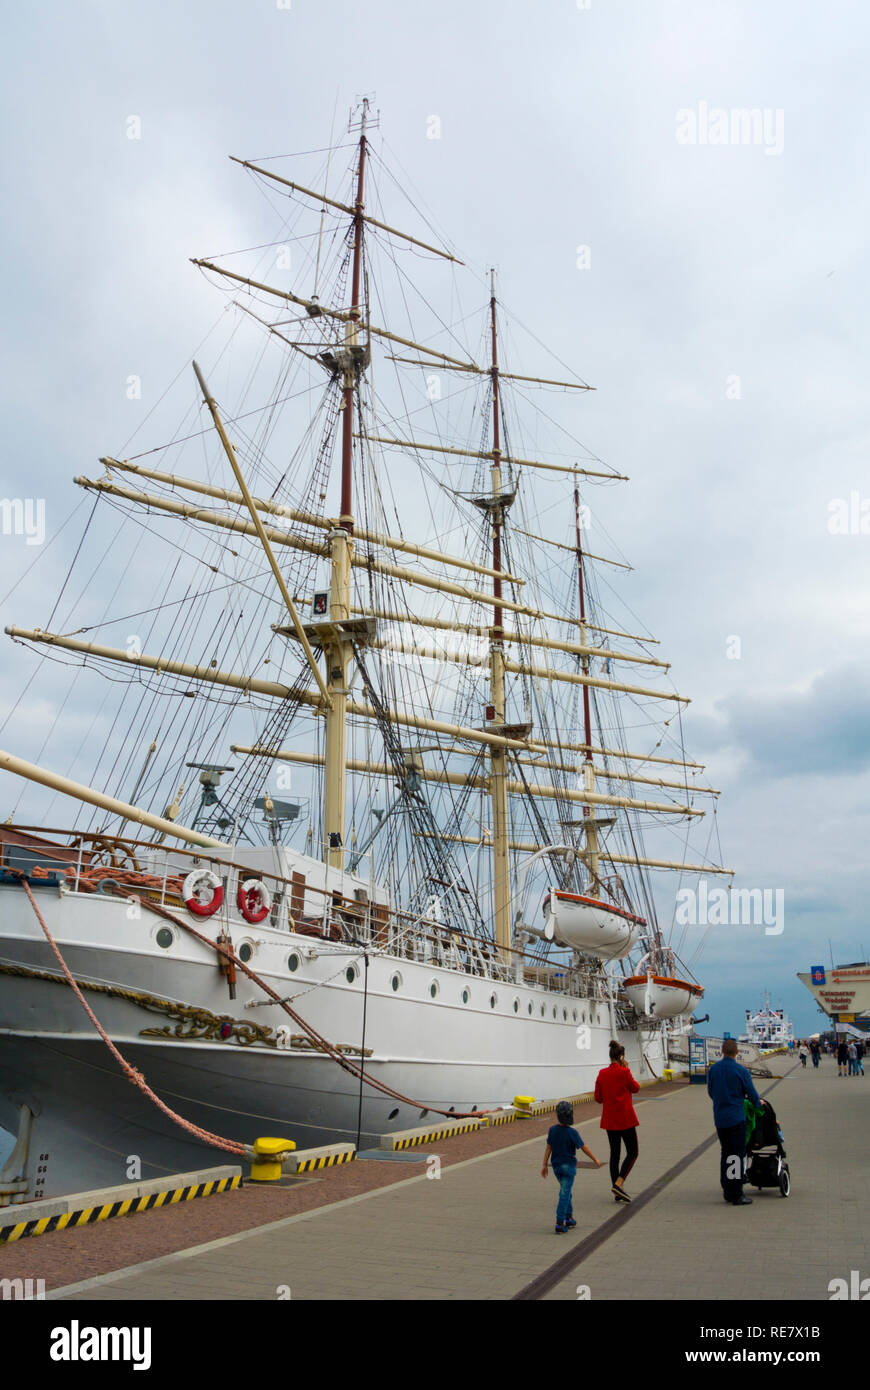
(91, 1127)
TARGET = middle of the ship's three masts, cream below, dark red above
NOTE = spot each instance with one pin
(498, 757)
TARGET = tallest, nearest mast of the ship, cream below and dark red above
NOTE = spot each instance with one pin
(341, 547)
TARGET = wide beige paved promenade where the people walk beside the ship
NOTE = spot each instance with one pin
(484, 1228)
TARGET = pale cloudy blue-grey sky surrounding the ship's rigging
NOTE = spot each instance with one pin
(716, 304)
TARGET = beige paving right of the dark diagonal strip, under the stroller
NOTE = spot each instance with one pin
(689, 1245)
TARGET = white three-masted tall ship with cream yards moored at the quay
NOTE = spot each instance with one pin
(379, 780)
